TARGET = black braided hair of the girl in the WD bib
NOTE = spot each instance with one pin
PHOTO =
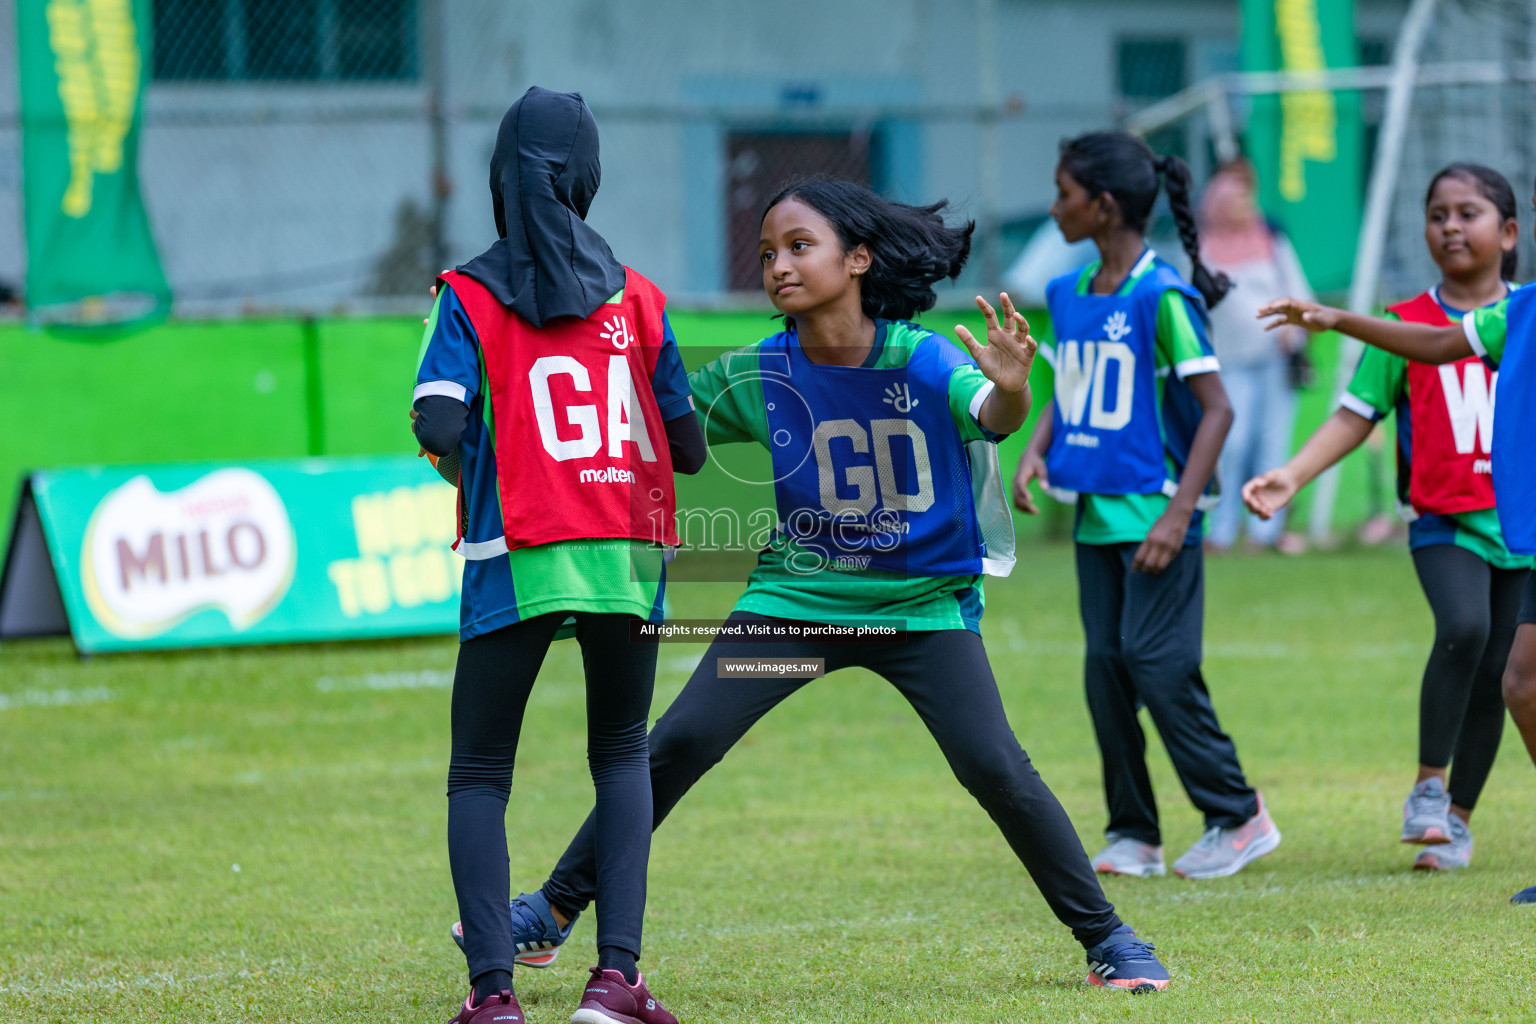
(1125, 168)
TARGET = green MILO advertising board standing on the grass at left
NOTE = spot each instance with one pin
(168, 557)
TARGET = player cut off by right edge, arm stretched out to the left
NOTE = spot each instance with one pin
(1505, 337)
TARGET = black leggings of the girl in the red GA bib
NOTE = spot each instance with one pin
(491, 693)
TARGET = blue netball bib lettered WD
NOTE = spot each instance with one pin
(1108, 435)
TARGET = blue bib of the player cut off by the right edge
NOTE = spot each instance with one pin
(1515, 426)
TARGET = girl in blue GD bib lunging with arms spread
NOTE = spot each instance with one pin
(849, 271)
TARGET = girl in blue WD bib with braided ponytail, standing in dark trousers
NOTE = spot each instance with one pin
(1133, 438)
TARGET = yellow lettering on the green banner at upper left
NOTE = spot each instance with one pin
(96, 55)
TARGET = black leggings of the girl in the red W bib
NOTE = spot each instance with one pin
(1462, 704)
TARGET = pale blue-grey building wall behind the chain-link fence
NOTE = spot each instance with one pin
(291, 194)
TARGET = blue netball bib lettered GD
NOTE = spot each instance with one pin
(870, 469)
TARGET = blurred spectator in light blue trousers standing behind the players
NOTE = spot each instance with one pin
(1260, 369)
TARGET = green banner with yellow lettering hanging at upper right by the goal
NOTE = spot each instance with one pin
(1306, 147)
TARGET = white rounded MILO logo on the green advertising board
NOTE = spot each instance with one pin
(151, 561)
